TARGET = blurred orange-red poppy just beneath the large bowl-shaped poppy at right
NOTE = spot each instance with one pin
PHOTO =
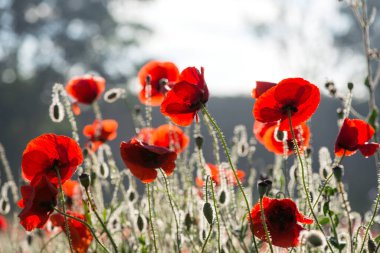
(266, 134)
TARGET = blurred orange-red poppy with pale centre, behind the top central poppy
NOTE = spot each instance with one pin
(162, 76)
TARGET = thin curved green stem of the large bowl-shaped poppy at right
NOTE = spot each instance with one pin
(305, 187)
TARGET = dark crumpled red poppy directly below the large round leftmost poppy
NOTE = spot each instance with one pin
(37, 202)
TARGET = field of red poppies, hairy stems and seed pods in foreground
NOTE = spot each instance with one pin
(75, 196)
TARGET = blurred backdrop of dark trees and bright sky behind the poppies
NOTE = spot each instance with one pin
(237, 41)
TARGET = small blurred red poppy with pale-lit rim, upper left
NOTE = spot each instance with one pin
(86, 89)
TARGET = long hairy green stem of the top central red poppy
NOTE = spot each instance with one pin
(221, 137)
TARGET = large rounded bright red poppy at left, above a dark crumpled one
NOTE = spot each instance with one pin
(46, 153)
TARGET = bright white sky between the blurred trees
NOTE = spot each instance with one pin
(219, 35)
